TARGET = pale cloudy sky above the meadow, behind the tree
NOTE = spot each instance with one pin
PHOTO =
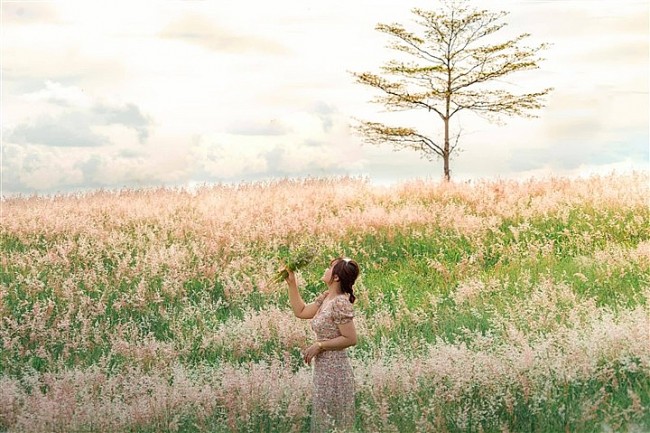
(113, 94)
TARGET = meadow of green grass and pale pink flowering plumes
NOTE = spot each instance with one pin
(492, 306)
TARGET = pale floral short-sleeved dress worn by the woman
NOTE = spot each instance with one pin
(333, 393)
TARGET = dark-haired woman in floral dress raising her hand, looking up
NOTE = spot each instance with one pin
(332, 321)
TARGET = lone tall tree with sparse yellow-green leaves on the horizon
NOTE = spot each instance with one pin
(457, 66)
